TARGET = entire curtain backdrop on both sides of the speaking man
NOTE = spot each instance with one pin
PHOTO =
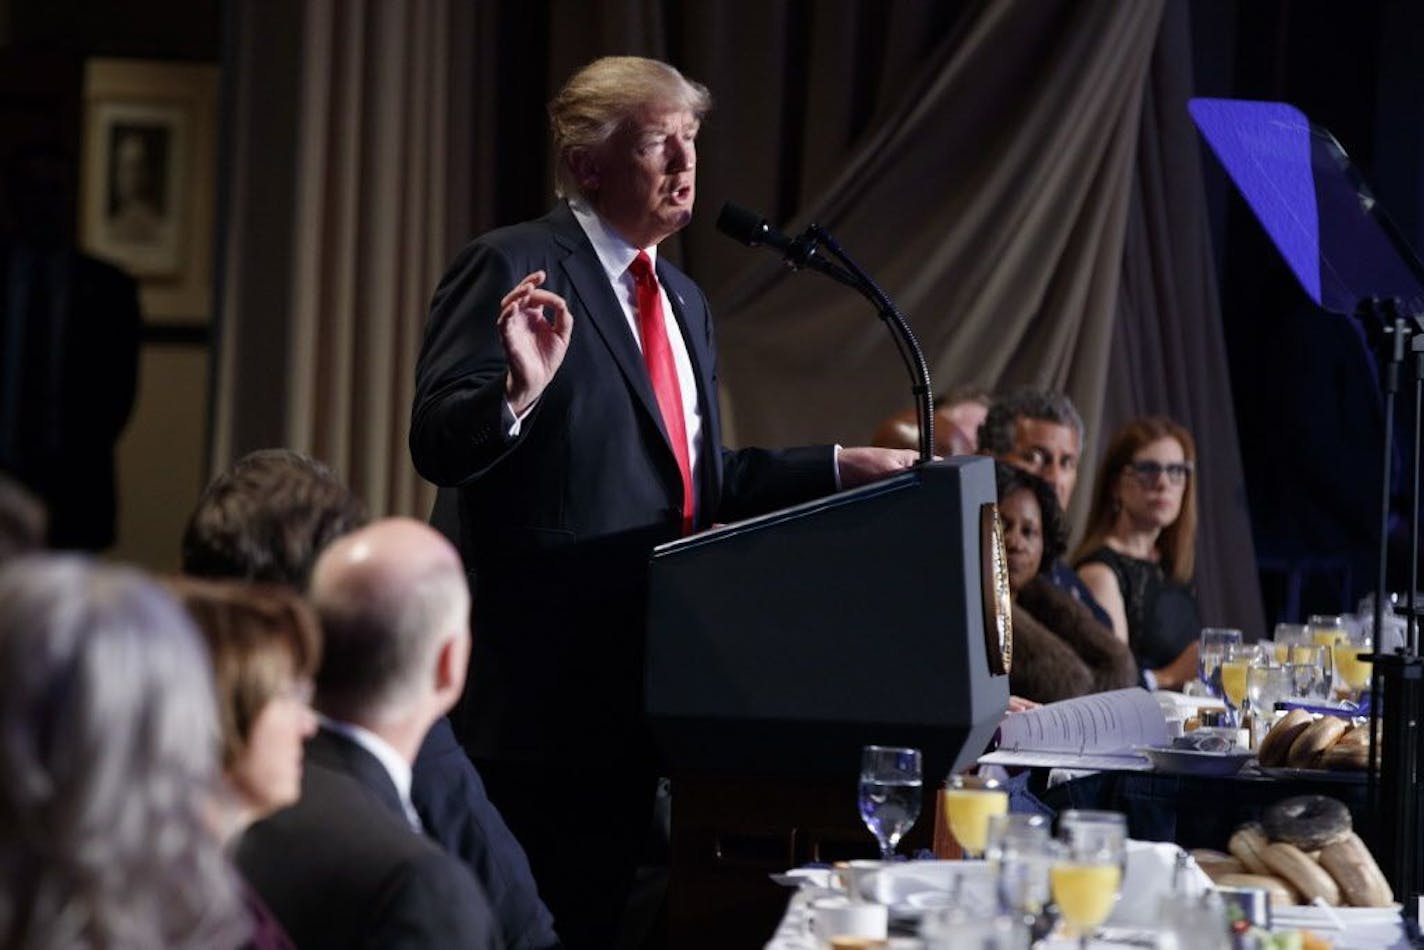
(1019, 176)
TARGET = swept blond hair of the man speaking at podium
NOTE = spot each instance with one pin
(606, 95)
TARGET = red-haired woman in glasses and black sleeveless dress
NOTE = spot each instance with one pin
(1140, 548)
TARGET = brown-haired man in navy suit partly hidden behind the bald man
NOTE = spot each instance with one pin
(267, 519)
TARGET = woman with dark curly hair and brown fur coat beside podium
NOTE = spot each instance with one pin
(1060, 650)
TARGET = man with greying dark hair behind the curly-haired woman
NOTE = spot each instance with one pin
(1042, 432)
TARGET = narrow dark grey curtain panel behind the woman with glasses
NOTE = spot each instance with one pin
(1168, 351)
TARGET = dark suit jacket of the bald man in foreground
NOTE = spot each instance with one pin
(342, 868)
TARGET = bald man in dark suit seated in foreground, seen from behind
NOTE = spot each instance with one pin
(348, 865)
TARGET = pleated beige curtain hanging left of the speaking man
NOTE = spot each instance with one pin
(378, 199)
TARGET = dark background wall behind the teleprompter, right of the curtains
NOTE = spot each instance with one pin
(1304, 381)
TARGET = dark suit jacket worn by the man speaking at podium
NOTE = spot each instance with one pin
(557, 523)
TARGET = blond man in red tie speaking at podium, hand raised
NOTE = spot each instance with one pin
(567, 387)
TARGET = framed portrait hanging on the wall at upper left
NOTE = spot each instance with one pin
(149, 182)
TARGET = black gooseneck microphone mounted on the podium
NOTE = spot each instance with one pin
(801, 253)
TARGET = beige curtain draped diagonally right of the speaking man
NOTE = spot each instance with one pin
(990, 202)
